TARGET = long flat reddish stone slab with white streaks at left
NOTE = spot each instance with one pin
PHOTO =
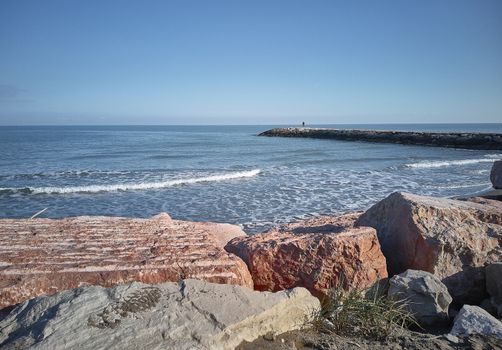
(44, 256)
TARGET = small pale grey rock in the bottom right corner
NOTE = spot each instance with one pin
(474, 320)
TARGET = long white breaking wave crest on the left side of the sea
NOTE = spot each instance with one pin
(133, 186)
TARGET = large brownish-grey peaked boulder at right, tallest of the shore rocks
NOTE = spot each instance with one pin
(452, 239)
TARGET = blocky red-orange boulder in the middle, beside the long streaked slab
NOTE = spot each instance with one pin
(317, 254)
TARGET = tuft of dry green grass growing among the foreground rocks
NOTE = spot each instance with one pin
(351, 312)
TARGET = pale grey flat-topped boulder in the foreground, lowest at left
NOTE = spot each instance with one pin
(191, 314)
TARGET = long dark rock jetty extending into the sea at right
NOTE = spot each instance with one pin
(485, 141)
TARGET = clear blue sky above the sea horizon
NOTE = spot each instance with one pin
(250, 62)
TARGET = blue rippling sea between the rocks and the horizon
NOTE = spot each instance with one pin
(222, 173)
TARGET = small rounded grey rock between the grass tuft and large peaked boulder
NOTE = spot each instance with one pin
(424, 296)
